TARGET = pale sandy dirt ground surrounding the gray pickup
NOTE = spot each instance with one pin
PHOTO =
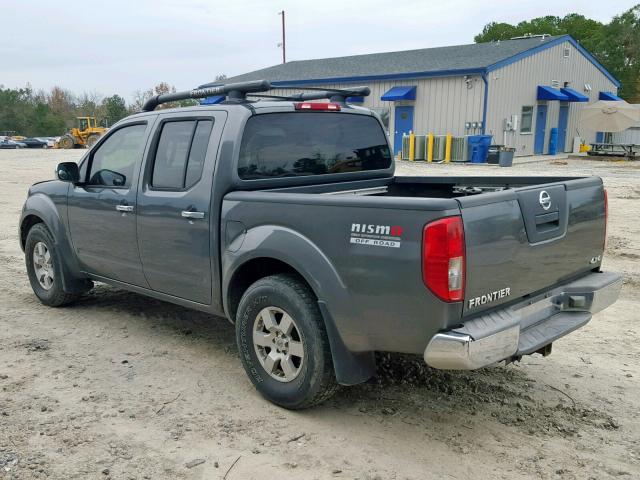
(124, 387)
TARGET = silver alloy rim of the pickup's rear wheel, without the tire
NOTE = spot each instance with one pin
(278, 344)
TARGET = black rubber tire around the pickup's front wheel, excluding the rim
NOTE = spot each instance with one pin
(55, 296)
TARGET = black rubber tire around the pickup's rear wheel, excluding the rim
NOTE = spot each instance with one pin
(315, 381)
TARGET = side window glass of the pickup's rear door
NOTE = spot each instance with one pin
(180, 154)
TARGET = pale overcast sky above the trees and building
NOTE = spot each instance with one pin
(119, 46)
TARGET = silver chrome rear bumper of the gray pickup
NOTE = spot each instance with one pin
(523, 328)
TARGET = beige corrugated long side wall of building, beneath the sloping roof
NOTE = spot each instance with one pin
(442, 105)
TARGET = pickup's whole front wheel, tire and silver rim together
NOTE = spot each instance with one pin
(44, 268)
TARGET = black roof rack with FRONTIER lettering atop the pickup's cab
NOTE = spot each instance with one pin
(238, 92)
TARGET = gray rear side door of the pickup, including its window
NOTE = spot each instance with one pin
(176, 238)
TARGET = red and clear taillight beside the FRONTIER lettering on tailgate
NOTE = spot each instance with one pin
(443, 258)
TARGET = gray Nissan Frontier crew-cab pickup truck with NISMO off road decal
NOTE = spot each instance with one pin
(285, 216)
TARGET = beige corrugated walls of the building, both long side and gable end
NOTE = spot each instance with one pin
(444, 104)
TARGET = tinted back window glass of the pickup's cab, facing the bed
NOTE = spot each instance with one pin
(311, 143)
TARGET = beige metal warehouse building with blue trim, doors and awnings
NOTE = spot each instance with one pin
(515, 90)
